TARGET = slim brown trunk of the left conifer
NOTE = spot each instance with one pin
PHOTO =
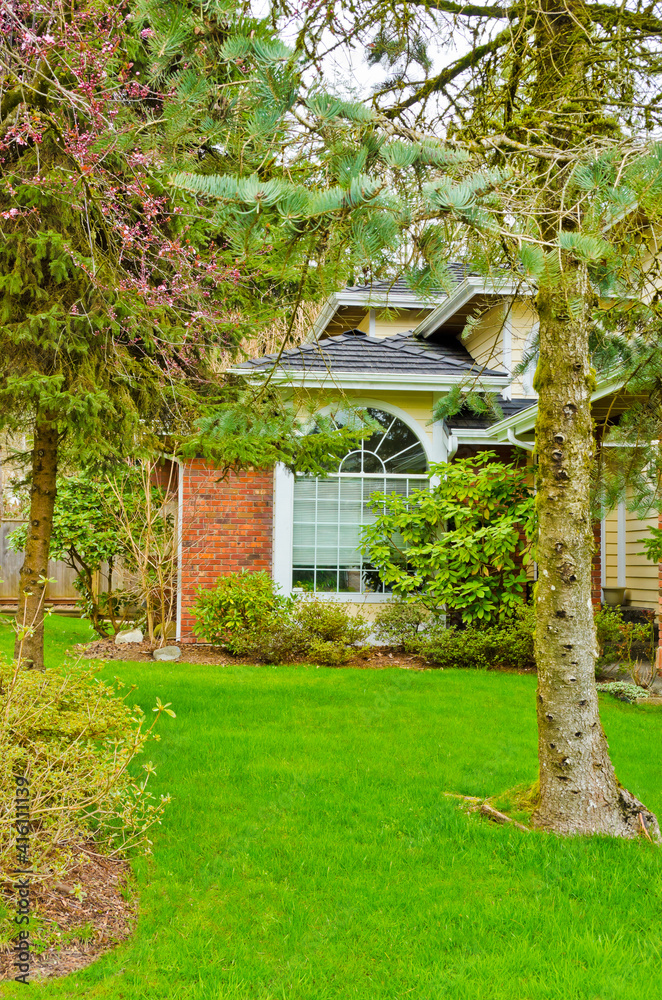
(30, 615)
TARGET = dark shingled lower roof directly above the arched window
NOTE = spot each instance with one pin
(356, 352)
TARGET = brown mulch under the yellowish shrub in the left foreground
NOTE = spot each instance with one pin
(81, 929)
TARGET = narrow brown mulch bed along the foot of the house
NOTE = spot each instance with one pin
(198, 652)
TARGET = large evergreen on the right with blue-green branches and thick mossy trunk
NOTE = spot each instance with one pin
(532, 163)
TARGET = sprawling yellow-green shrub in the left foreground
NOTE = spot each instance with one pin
(73, 738)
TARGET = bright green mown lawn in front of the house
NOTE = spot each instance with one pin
(309, 852)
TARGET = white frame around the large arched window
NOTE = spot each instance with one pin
(436, 450)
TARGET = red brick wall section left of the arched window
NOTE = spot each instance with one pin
(227, 526)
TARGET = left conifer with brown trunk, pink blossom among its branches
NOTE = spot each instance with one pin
(107, 298)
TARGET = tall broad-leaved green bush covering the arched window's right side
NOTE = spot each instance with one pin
(463, 545)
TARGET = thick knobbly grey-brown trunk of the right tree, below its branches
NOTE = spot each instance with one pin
(579, 792)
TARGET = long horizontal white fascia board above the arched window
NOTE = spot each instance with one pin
(368, 380)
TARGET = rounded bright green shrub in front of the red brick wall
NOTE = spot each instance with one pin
(239, 606)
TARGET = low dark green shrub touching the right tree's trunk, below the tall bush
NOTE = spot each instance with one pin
(507, 646)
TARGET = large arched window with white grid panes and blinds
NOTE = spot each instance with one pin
(329, 513)
